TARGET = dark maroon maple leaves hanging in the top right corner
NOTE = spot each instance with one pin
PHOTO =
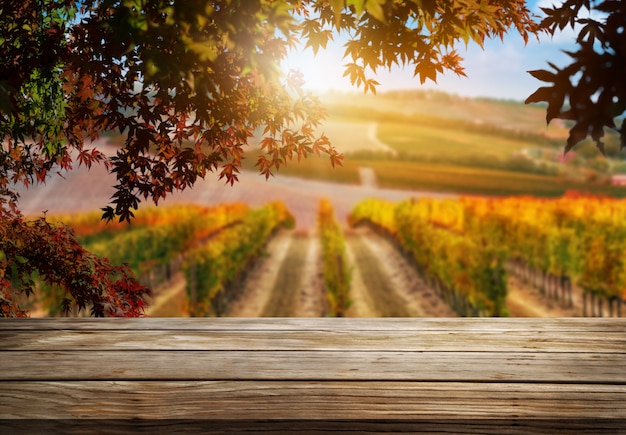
(590, 91)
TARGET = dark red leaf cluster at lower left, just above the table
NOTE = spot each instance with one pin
(51, 251)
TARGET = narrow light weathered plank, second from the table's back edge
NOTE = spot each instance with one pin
(402, 340)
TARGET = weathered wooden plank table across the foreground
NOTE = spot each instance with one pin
(419, 375)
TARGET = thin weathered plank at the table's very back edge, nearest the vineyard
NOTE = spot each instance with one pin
(321, 324)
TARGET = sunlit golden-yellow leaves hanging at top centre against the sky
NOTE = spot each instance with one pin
(421, 34)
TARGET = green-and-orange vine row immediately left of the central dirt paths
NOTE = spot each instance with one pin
(214, 269)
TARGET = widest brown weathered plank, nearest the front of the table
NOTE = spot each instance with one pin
(231, 400)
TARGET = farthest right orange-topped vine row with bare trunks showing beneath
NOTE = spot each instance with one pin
(554, 243)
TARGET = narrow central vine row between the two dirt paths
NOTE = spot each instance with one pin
(337, 273)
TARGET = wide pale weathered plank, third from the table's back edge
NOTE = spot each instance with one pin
(313, 365)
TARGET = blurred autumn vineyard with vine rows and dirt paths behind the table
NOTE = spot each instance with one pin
(468, 256)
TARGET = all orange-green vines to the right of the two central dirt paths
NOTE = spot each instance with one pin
(466, 247)
